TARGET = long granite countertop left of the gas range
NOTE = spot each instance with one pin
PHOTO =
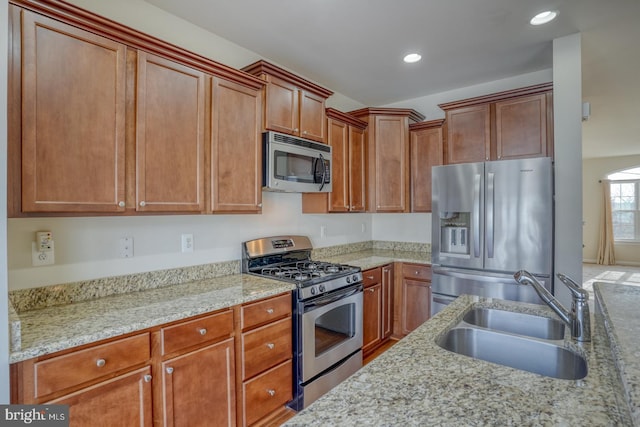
(57, 328)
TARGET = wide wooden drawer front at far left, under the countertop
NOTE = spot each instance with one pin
(75, 368)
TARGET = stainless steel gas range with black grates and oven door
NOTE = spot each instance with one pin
(327, 312)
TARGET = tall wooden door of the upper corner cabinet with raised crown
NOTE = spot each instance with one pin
(392, 161)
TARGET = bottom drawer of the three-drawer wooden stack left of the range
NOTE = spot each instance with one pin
(267, 392)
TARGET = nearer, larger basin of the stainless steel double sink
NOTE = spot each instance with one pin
(516, 352)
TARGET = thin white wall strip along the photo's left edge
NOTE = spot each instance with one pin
(4, 310)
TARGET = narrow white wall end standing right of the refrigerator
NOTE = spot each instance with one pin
(567, 116)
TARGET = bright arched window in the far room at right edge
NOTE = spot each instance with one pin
(625, 205)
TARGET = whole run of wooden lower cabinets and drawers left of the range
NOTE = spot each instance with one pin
(225, 368)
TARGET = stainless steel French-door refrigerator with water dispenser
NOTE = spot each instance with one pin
(490, 220)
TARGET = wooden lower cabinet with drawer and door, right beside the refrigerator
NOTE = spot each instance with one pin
(415, 307)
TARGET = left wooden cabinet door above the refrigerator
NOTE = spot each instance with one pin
(468, 134)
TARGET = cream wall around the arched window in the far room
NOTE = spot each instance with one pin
(594, 170)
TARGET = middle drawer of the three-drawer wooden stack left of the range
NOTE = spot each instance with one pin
(266, 347)
